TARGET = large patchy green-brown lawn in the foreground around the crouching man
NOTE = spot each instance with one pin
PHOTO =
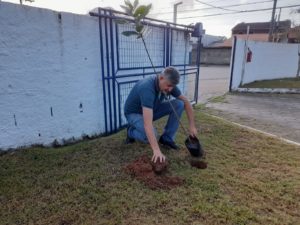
(250, 179)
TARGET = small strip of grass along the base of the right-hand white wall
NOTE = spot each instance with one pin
(277, 83)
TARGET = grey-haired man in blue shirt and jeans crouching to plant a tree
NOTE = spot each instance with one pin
(148, 101)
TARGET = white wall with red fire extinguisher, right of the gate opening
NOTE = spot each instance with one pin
(269, 61)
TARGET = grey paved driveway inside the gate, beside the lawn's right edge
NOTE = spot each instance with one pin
(278, 114)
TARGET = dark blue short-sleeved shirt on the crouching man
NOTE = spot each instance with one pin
(146, 93)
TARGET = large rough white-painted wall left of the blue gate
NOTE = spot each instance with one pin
(48, 63)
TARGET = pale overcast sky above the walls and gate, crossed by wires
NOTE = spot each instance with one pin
(189, 12)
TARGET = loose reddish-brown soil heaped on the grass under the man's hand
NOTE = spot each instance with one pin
(146, 172)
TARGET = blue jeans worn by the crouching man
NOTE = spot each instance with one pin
(136, 128)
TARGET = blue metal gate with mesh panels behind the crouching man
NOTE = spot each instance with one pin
(124, 60)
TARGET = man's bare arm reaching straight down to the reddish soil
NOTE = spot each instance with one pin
(148, 125)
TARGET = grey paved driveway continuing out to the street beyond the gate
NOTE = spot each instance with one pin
(278, 114)
